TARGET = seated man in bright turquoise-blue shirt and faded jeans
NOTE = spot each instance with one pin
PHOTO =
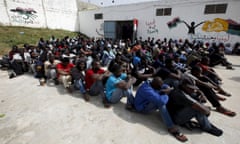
(118, 85)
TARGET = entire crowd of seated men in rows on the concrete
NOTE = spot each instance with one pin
(175, 77)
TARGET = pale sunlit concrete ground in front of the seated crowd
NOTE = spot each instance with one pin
(33, 114)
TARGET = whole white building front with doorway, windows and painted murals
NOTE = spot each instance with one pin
(204, 20)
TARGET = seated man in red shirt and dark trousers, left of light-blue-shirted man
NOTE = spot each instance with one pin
(94, 83)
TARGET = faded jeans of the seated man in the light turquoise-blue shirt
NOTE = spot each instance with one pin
(119, 93)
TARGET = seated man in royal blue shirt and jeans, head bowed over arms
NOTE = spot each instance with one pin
(151, 96)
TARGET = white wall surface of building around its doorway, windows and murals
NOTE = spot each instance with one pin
(150, 25)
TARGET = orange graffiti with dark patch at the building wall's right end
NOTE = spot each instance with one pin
(221, 25)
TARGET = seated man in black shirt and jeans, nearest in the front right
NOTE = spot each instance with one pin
(182, 107)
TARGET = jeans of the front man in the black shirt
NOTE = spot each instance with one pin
(188, 113)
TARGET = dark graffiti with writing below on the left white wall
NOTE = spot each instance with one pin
(24, 16)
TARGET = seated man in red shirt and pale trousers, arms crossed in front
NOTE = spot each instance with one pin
(63, 73)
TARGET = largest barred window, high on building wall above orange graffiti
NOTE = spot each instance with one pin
(215, 9)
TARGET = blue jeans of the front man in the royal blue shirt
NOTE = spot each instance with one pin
(163, 112)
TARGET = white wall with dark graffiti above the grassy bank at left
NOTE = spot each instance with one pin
(52, 14)
